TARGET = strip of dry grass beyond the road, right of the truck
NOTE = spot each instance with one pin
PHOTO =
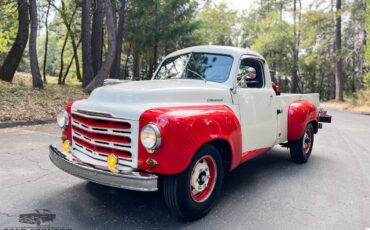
(360, 102)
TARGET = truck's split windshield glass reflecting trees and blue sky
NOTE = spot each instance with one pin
(201, 66)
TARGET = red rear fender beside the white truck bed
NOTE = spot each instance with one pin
(300, 114)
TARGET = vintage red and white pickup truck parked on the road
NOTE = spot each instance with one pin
(206, 110)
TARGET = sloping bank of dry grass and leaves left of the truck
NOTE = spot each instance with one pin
(20, 102)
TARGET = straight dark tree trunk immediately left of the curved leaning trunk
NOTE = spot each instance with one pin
(97, 35)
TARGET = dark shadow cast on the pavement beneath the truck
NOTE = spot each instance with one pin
(102, 207)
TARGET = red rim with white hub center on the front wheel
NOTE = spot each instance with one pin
(203, 178)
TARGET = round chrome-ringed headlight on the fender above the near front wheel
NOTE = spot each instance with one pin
(150, 137)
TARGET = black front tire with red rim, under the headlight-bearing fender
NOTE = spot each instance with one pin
(185, 201)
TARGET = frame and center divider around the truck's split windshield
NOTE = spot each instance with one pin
(187, 62)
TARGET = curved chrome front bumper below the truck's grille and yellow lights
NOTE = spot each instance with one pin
(131, 181)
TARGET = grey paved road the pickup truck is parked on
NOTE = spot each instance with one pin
(331, 191)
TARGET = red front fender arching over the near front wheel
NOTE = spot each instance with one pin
(184, 129)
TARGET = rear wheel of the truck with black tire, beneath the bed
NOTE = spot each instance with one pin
(301, 149)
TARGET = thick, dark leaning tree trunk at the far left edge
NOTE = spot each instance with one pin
(10, 65)
